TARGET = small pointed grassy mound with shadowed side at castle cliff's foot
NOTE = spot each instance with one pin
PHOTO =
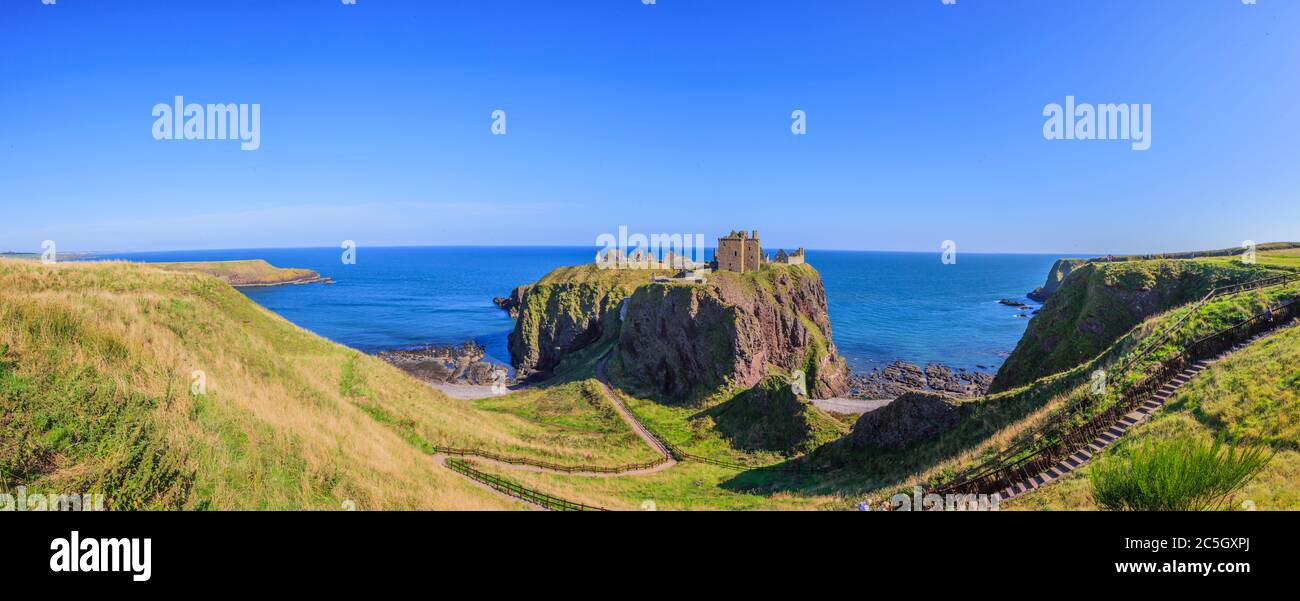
(770, 418)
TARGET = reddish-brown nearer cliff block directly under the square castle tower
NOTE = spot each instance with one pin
(684, 341)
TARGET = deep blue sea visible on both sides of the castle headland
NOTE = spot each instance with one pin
(883, 306)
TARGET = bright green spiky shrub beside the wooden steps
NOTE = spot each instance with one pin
(1176, 475)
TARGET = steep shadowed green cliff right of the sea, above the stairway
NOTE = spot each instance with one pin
(1099, 302)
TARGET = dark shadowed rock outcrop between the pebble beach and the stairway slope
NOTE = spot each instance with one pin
(911, 420)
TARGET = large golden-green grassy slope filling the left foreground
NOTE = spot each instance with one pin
(97, 367)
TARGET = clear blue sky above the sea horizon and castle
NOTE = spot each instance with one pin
(925, 123)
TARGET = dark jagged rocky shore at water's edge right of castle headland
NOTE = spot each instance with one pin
(902, 378)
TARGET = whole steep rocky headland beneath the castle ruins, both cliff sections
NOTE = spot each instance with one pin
(684, 341)
